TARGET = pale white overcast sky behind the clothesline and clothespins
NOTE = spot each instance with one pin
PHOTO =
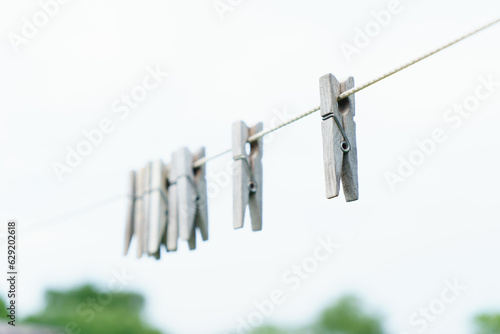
(264, 59)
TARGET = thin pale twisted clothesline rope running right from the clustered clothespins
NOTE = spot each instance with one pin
(349, 92)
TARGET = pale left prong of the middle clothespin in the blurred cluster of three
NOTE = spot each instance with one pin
(158, 205)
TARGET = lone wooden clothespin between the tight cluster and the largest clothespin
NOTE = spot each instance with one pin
(247, 175)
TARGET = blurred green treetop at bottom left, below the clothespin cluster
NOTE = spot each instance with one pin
(88, 310)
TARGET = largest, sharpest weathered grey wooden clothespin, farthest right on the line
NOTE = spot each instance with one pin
(339, 138)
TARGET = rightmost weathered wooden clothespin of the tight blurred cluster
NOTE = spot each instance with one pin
(187, 199)
